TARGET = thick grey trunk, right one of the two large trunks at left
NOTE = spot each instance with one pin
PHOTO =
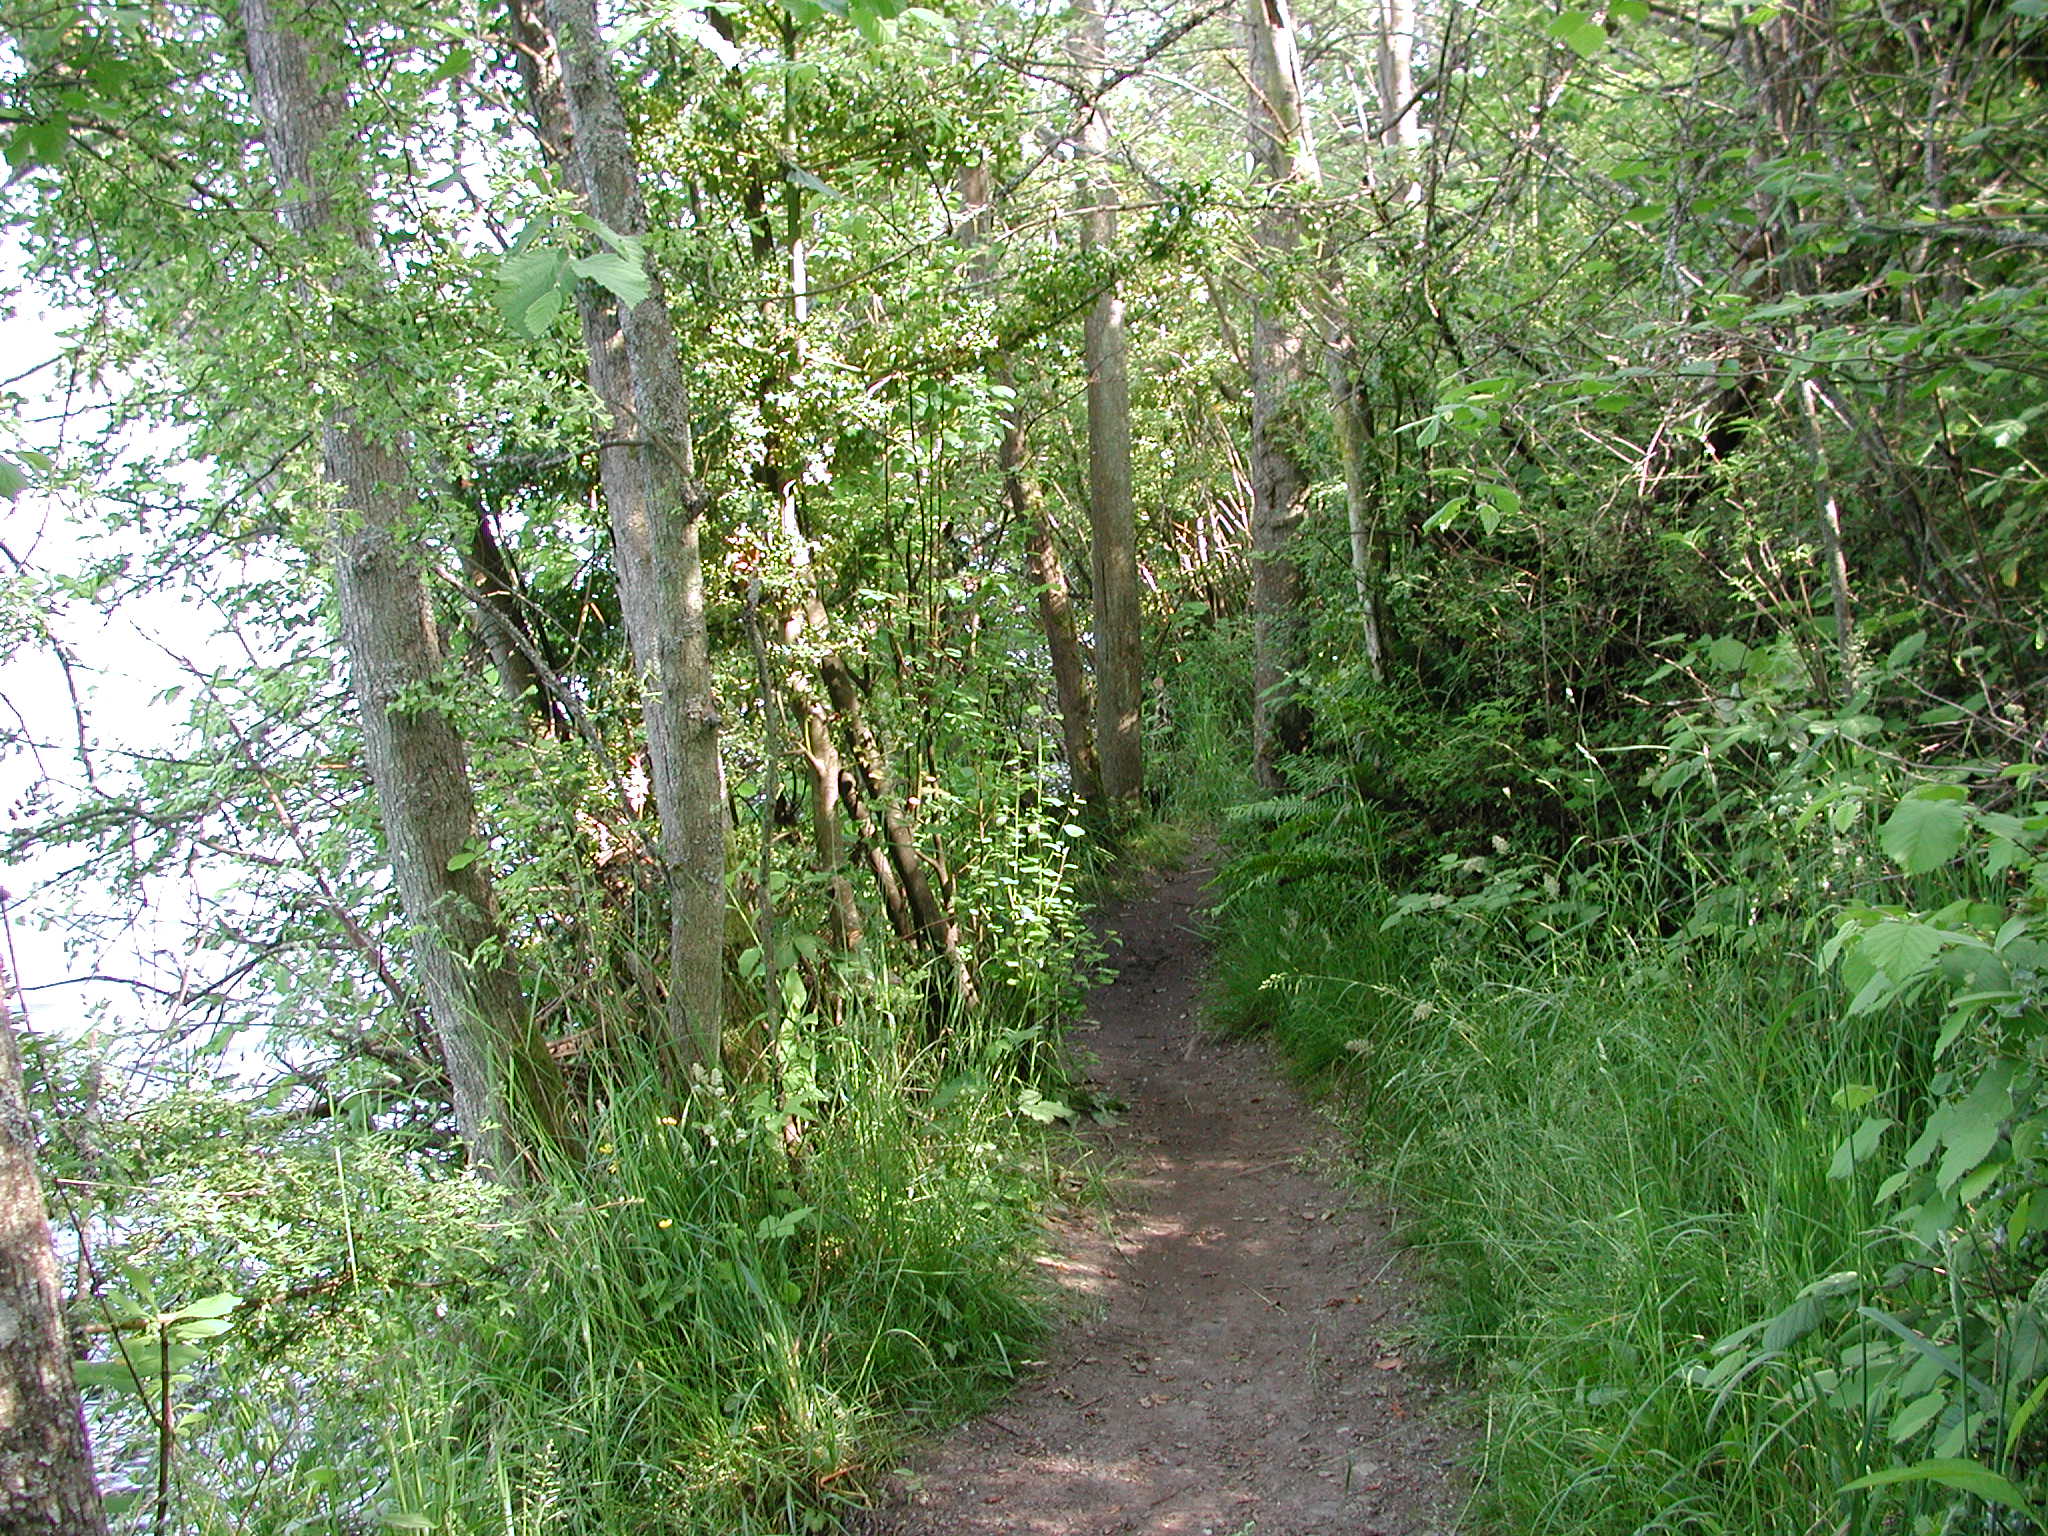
(656, 505)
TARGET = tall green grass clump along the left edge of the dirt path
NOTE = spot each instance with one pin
(724, 1322)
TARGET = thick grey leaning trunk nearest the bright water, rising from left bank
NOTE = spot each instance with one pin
(509, 1091)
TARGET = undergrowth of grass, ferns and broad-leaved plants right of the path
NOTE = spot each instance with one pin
(1719, 1134)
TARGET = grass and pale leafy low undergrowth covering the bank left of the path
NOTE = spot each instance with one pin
(720, 1314)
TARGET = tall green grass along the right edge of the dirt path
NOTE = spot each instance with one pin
(1613, 1154)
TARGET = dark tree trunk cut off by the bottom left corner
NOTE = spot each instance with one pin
(46, 1463)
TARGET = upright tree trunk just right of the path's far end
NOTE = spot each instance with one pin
(1283, 159)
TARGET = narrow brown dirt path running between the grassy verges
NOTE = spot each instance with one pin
(1238, 1357)
